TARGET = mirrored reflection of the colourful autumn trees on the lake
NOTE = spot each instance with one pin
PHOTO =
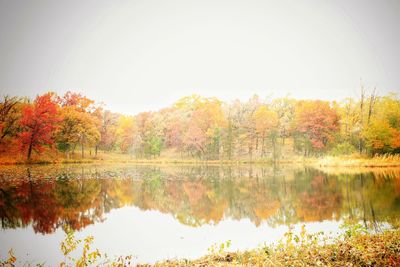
(46, 198)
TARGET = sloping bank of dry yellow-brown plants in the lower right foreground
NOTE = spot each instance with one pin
(303, 250)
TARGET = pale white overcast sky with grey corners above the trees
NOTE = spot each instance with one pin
(142, 55)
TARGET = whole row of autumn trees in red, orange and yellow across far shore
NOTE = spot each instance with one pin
(203, 127)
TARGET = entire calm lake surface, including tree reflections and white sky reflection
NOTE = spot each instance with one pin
(157, 213)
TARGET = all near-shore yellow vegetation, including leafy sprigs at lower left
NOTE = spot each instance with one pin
(356, 247)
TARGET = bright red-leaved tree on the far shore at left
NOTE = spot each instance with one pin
(38, 123)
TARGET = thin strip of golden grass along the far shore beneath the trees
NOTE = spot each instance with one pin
(104, 158)
